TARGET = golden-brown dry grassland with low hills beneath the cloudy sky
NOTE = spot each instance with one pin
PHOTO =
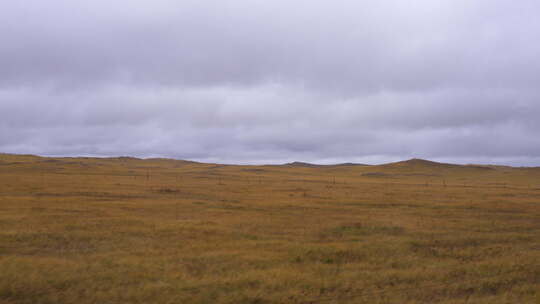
(125, 230)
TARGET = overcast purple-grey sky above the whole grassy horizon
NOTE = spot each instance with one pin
(258, 81)
